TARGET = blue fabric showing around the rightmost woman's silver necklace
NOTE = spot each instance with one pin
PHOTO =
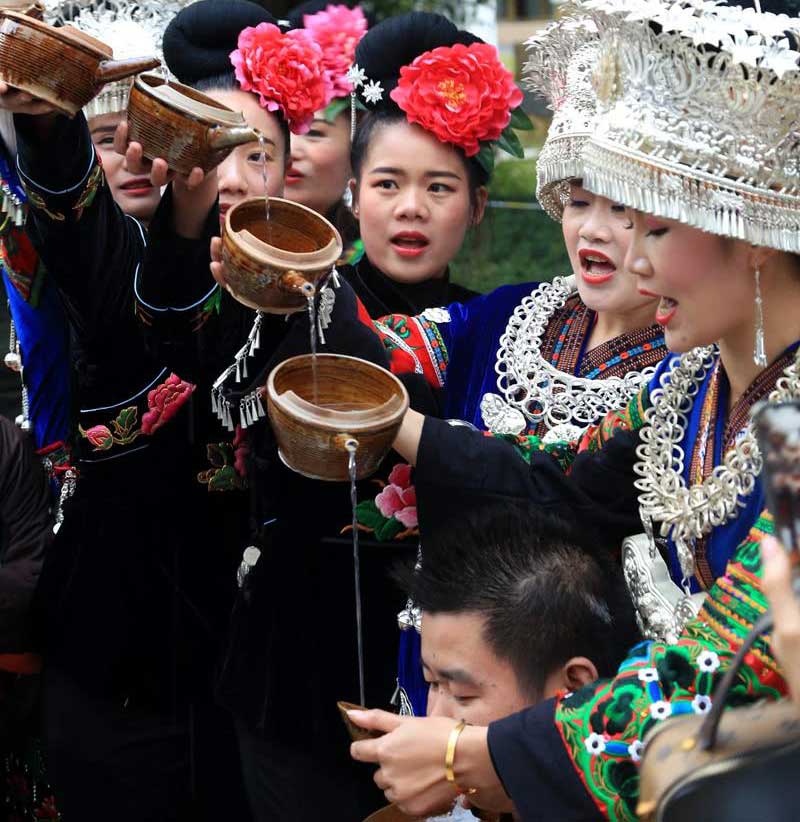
(723, 541)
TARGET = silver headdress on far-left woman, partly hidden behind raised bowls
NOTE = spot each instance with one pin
(131, 28)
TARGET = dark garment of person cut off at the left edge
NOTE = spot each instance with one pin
(25, 534)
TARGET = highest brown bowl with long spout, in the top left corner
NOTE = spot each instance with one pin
(62, 66)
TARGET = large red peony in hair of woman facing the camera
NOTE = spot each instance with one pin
(461, 94)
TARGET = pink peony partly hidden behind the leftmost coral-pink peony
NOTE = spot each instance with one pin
(337, 30)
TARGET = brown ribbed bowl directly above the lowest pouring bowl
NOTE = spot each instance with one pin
(275, 267)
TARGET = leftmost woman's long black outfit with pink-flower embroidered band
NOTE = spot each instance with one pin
(134, 597)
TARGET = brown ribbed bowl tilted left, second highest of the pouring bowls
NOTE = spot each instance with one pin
(183, 126)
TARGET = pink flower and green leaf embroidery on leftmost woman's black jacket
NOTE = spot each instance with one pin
(163, 403)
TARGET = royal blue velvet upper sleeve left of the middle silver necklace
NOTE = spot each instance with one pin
(472, 338)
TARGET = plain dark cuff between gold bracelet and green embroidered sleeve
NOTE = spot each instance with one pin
(530, 757)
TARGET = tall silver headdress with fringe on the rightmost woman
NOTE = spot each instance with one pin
(699, 110)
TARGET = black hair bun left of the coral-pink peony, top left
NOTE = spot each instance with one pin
(200, 38)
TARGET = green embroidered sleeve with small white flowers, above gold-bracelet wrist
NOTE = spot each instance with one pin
(603, 725)
